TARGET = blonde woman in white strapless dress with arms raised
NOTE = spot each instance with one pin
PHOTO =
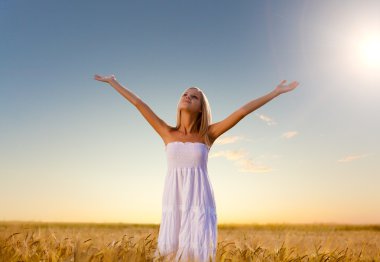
(188, 229)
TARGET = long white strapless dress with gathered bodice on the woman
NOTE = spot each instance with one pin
(188, 229)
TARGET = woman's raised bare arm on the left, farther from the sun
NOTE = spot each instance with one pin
(157, 123)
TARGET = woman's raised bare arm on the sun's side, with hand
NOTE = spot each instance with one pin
(218, 128)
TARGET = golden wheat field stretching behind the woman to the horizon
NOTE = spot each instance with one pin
(28, 241)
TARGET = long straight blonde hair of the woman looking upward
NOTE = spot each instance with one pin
(204, 118)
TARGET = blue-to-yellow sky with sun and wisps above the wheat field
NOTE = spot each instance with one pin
(72, 149)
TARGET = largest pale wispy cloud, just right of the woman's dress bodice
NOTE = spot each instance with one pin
(242, 161)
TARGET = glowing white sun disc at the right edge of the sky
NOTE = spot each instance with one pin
(369, 51)
